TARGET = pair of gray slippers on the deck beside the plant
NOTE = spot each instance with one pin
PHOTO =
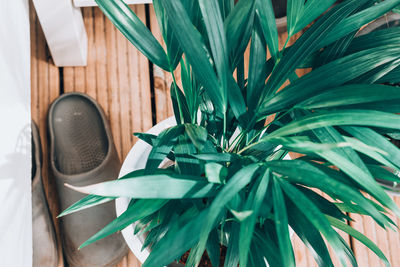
(82, 152)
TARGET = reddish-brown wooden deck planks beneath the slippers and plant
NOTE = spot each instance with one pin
(135, 97)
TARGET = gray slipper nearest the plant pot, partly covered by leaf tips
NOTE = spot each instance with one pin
(82, 152)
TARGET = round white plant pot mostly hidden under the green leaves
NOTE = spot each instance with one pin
(136, 160)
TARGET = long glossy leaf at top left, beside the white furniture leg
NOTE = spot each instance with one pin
(134, 30)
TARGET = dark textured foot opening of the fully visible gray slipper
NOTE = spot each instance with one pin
(81, 143)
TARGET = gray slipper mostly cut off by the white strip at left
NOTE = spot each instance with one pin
(44, 241)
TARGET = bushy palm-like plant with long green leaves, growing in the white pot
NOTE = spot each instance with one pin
(228, 187)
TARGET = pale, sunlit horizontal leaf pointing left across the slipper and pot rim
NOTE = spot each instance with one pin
(162, 186)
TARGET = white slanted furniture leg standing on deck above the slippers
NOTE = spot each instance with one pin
(64, 29)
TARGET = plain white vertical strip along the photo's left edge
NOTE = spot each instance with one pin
(15, 141)
